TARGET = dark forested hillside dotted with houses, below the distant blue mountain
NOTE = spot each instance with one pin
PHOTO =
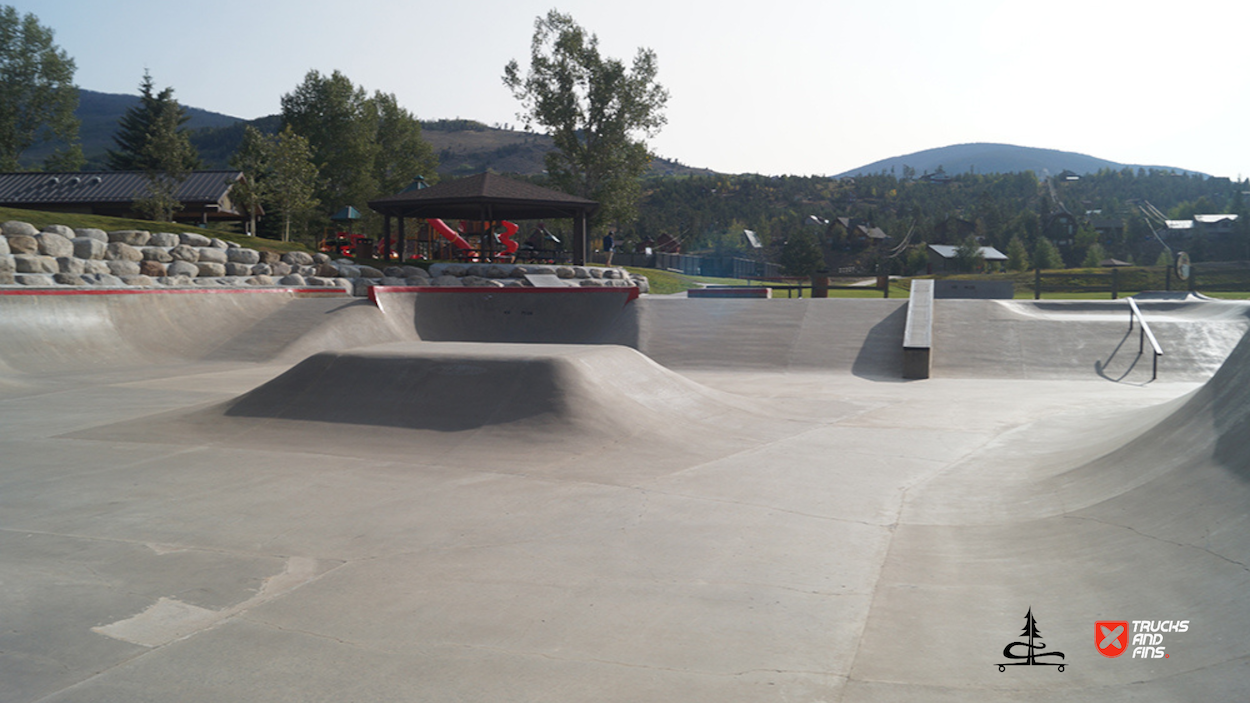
(711, 213)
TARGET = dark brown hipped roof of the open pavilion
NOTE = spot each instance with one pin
(484, 197)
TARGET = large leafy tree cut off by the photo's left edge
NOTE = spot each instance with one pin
(38, 96)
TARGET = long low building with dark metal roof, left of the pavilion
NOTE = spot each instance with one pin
(206, 196)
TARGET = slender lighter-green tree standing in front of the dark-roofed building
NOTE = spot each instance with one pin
(168, 159)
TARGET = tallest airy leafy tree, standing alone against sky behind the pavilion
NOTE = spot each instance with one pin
(596, 109)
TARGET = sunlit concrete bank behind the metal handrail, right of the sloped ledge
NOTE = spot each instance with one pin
(1077, 340)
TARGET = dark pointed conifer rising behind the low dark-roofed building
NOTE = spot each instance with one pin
(137, 127)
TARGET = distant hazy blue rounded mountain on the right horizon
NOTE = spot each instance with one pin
(996, 158)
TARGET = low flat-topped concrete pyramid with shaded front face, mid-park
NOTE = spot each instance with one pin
(539, 407)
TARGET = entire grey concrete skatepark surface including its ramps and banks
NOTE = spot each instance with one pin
(273, 498)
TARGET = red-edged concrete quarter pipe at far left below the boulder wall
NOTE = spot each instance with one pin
(56, 335)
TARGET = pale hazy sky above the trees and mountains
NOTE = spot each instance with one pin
(776, 88)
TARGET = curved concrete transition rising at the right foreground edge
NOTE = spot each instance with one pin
(1139, 516)
